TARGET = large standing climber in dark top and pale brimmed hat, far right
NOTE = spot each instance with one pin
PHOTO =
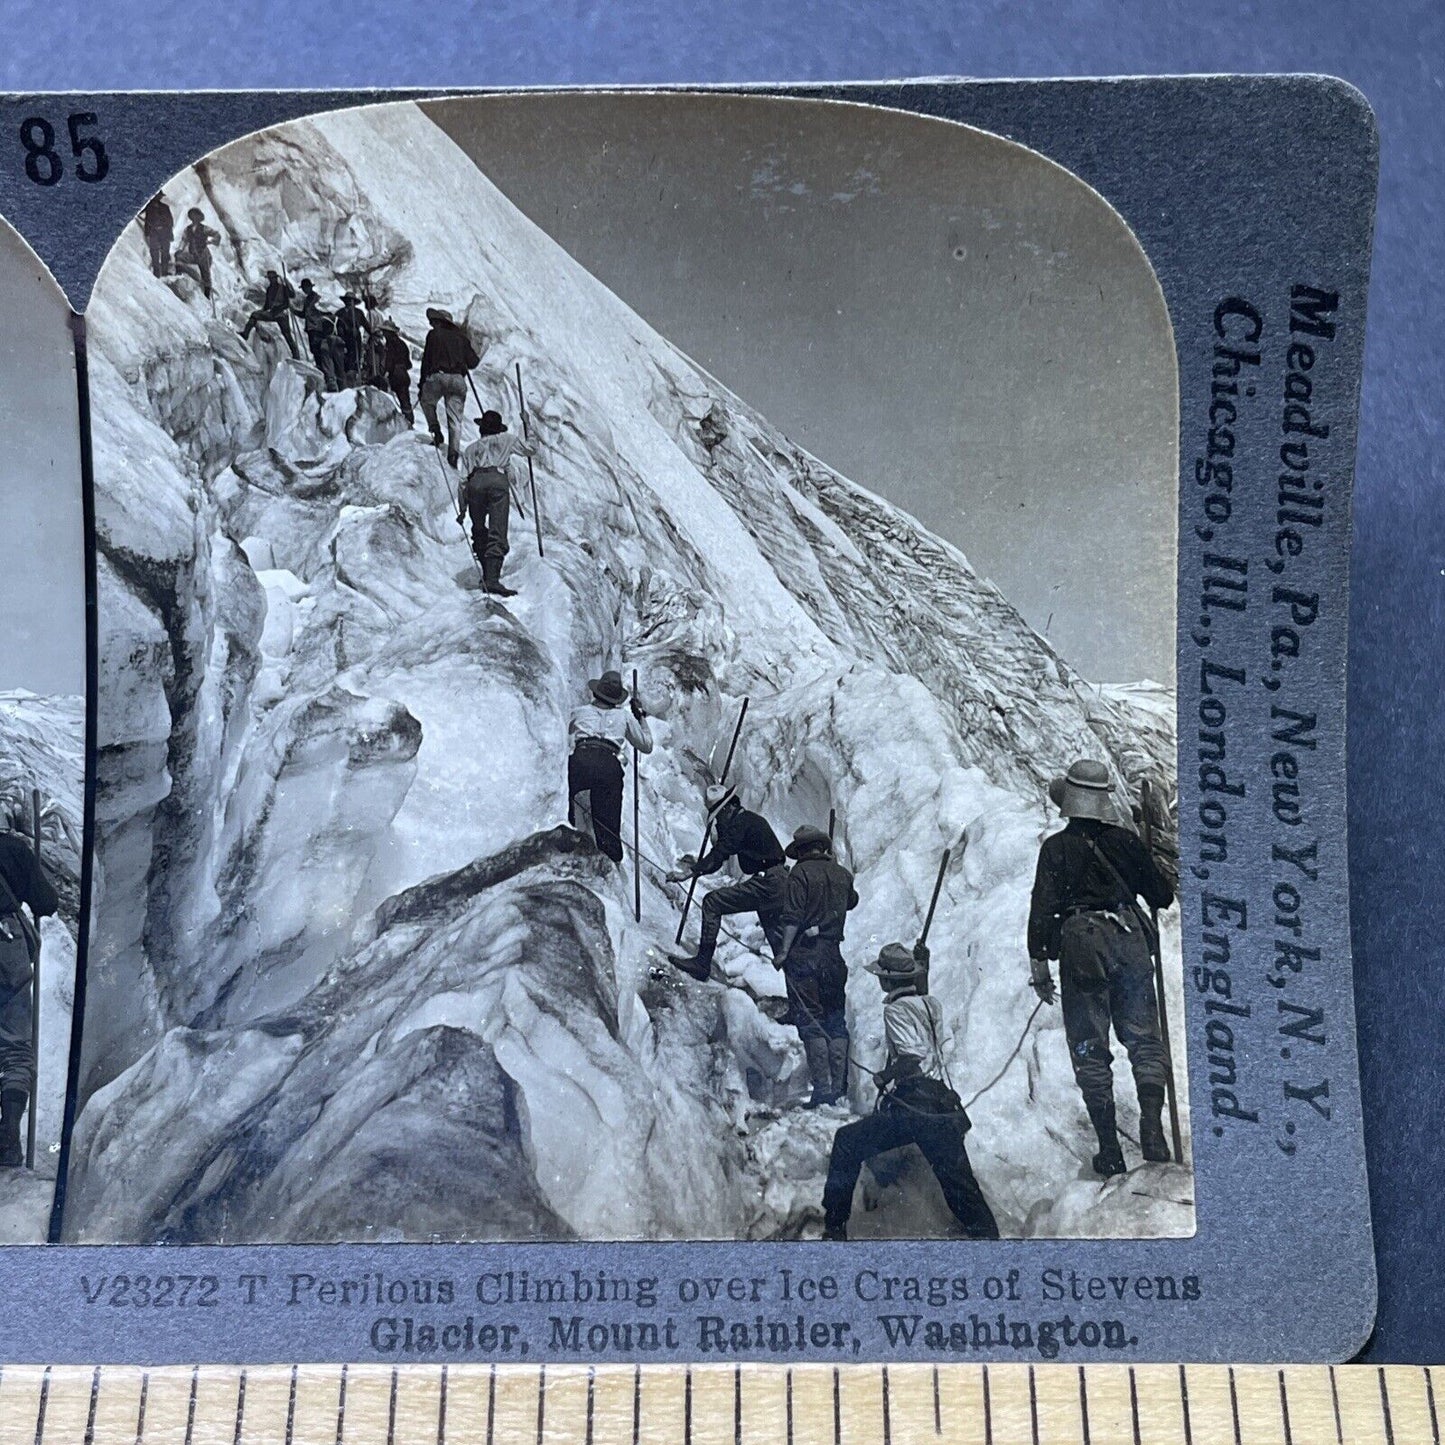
(1086, 914)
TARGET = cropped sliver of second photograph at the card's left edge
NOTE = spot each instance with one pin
(43, 732)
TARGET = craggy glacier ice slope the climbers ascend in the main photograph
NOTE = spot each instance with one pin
(352, 976)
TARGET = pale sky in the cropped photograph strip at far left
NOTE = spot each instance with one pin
(43, 571)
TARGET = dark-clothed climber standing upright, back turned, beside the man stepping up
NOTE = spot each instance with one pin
(816, 905)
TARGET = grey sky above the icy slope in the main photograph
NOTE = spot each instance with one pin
(939, 314)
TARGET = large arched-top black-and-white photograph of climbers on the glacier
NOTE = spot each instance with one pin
(637, 689)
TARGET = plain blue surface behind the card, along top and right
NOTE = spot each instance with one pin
(1392, 50)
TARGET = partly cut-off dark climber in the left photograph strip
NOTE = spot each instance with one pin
(22, 882)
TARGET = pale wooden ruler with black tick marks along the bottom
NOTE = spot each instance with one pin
(719, 1405)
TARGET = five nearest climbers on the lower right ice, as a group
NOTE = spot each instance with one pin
(1084, 913)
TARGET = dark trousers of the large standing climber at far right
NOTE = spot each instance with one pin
(1108, 979)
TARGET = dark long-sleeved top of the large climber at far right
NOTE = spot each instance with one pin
(1073, 878)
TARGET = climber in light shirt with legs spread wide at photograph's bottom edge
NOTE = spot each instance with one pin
(917, 1105)
